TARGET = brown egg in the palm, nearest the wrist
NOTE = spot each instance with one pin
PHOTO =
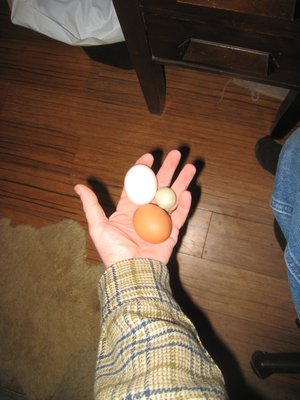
(152, 223)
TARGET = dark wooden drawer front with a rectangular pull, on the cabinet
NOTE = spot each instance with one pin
(215, 45)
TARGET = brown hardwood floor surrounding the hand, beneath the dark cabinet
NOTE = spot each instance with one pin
(66, 119)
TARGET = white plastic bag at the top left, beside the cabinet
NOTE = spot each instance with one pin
(75, 22)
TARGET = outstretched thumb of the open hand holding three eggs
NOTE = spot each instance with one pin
(94, 213)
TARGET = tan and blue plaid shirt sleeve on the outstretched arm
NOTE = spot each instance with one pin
(148, 348)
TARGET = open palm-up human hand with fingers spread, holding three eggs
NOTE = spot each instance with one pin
(115, 238)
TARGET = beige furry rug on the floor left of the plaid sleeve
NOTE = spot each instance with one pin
(49, 312)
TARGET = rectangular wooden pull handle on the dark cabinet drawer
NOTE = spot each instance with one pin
(227, 57)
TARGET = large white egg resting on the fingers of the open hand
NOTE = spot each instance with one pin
(140, 184)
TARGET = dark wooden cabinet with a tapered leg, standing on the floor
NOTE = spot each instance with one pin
(255, 40)
